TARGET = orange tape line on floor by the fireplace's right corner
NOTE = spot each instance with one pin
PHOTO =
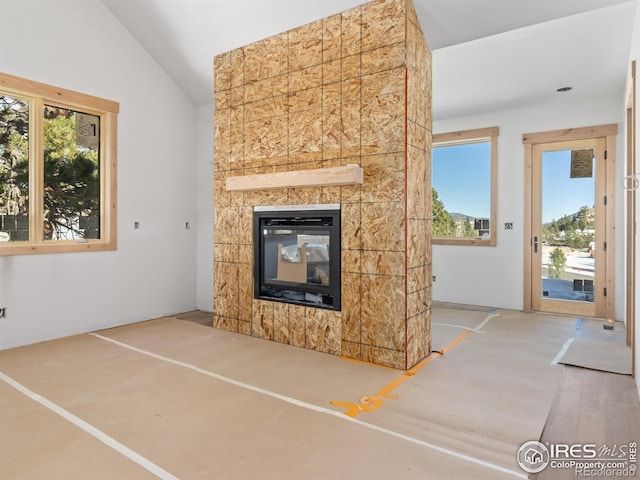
(373, 402)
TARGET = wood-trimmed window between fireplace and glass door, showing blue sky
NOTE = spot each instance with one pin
(463, 176)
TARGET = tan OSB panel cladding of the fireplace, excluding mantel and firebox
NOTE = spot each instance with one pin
(353, 88)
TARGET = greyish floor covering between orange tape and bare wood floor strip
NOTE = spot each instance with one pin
(489, 394)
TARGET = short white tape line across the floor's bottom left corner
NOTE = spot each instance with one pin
(90, 429)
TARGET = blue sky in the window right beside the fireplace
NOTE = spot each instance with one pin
(461, 175)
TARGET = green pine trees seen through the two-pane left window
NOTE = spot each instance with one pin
(71, 182)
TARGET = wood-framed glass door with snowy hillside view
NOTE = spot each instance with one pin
(567, 228)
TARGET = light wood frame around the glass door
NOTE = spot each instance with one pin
(608, 133)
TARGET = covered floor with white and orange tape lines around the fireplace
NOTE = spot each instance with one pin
(170, 398)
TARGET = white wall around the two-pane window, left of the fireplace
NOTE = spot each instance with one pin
(79, 45)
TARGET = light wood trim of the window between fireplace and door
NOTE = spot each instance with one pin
(472, 136)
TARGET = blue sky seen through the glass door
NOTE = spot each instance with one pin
(562, 195)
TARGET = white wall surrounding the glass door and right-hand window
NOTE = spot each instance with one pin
(493, 276)
